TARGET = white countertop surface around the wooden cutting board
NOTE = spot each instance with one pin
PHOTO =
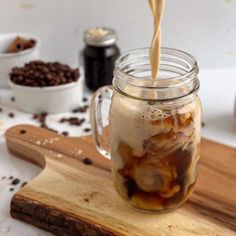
(218, 91)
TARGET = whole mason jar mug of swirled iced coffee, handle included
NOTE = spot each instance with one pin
(154, 128)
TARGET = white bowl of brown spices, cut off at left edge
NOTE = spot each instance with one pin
(16, 49)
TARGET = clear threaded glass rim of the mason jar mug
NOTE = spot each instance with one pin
(178, 75)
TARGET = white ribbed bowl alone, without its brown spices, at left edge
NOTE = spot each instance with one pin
(10, 60)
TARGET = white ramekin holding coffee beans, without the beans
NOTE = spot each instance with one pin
(53, 99)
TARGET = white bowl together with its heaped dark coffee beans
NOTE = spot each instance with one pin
(49, 87)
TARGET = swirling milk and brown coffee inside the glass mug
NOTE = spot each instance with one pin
(155, 152)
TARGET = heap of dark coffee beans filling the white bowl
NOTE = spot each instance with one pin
(44, 74)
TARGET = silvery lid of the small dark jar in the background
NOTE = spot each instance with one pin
(100, 36)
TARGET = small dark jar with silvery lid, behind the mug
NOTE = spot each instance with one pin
(99, 55)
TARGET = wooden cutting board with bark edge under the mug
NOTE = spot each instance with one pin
(72, 198)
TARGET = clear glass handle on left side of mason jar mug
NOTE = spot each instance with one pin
(100, 123)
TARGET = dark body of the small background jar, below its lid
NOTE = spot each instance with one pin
(99, 65)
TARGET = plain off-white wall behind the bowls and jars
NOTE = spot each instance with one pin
(205, 28)
